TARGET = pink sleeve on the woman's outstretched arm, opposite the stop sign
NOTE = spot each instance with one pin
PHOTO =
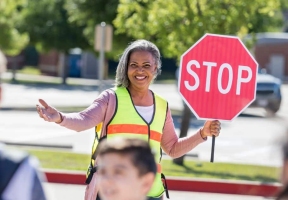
(88, 118)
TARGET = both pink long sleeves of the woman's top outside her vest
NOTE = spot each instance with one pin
(102, 110)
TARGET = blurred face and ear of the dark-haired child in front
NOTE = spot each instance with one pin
(119, 178)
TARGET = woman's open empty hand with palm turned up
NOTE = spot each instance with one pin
(48, 113)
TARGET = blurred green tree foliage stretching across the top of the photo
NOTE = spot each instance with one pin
(173, 25)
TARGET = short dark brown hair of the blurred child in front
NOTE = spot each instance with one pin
(138, 150)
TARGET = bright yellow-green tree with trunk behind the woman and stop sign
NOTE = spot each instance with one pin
(174, 26)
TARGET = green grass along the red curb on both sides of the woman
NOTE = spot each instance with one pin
(192, 168)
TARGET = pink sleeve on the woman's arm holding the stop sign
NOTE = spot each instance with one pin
(174, 146)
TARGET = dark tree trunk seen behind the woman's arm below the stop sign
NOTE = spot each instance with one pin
(185, 123)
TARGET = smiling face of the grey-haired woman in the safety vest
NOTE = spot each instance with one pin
(141, 69)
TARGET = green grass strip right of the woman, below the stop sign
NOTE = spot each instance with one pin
(200, 169)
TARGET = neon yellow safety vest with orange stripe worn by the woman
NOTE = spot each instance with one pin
(127, 122)
